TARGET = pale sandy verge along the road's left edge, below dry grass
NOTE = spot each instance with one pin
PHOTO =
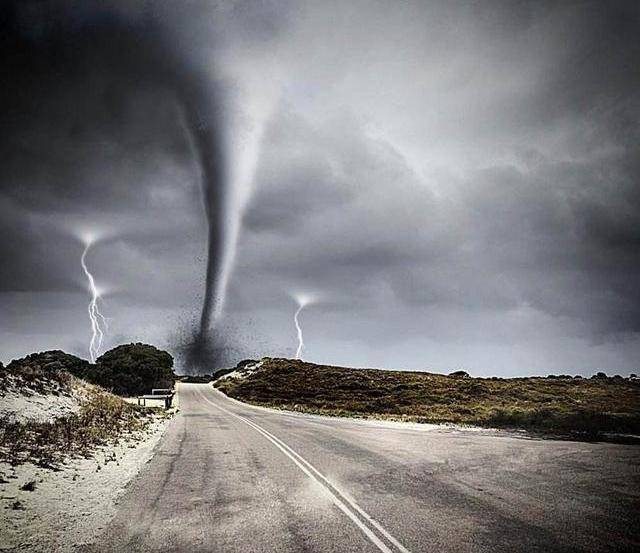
(69, 507)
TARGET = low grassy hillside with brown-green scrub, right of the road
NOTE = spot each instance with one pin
(559, 405)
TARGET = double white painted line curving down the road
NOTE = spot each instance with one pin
(332, 490)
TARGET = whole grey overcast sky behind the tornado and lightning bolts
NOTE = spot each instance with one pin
(457, 184)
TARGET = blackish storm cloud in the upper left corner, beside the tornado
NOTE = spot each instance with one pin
(88, 114)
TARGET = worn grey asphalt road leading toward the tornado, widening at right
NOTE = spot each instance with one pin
(230, 477)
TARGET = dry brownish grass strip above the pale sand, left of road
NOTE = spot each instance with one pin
(103, 418)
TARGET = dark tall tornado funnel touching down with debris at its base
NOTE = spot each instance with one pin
(173, 66)
